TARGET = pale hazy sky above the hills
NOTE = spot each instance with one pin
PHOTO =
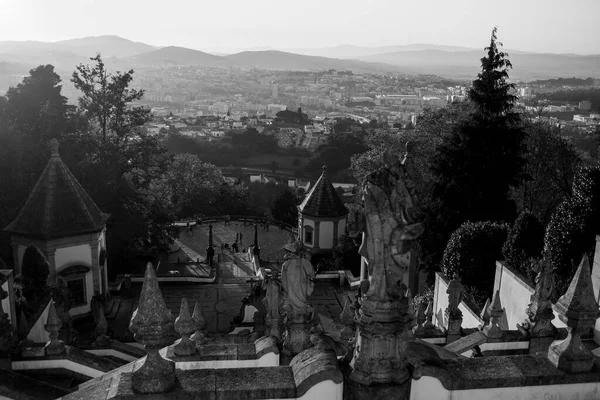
(558, 26)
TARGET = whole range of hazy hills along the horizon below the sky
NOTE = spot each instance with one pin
(448, 61)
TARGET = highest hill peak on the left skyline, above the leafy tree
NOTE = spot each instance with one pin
(108, 45)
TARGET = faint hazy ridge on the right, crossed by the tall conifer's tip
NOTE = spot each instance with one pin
(466, 64)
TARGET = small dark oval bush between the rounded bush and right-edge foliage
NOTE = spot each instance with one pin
(525, 242)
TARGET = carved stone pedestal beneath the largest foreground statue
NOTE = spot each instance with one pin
(382, 327)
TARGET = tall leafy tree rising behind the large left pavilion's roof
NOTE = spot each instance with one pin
(117, 161)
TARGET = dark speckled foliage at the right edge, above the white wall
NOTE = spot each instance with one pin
(574, 225)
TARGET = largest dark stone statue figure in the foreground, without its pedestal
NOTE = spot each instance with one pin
(391, 228)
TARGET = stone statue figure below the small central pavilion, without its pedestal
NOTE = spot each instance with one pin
(297, 275)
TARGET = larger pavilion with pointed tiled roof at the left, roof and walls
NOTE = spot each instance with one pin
(63, 221)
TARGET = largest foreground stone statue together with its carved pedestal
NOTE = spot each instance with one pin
(384, 318)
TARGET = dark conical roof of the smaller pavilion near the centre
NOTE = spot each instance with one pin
(323, 201)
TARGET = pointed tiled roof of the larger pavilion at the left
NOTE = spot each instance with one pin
(58, 205)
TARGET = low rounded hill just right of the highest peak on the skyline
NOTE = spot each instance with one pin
(174, 55)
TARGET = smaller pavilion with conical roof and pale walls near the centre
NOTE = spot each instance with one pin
(322, 217)
